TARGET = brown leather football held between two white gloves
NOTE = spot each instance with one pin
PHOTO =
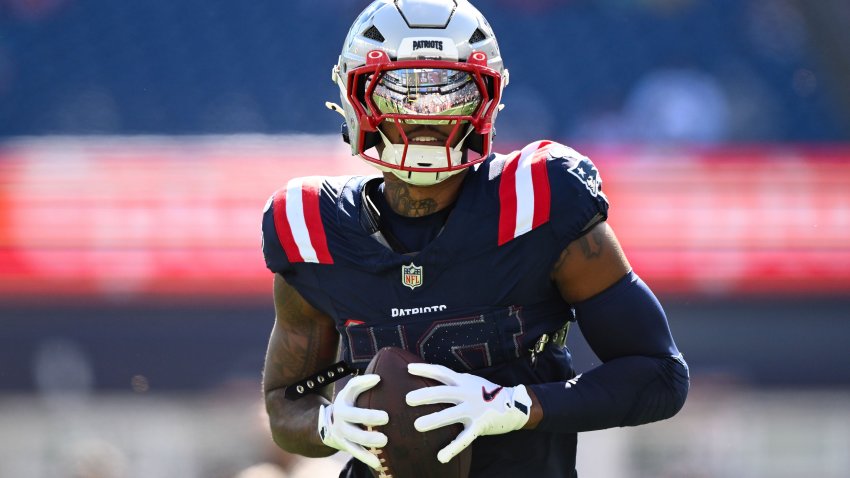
(409, 453)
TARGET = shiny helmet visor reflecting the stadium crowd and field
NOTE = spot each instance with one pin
(427, 91)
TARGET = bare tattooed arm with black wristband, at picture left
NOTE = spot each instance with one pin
(303, 341)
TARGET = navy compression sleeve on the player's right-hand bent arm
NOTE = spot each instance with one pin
(643, 377)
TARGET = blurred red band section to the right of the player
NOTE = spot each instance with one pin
(771, 220)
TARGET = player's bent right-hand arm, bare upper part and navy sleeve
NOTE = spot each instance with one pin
(643, 377)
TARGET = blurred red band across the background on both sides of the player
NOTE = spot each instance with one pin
(168, 218)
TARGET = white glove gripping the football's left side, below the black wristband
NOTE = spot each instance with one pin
(339, 422)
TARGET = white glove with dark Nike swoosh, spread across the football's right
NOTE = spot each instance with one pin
(481, 406)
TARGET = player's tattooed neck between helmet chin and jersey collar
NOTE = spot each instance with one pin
(418, 201)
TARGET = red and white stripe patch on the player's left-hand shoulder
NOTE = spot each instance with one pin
(298, 221)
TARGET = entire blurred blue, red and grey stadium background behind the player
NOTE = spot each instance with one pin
(140, 140)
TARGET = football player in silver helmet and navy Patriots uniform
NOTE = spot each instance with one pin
(478, 262)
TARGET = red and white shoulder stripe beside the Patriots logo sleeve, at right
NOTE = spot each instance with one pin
(524, 196)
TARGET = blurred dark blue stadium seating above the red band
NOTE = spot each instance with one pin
(212, 66)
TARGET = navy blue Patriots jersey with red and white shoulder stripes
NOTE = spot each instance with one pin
(475, 299)
